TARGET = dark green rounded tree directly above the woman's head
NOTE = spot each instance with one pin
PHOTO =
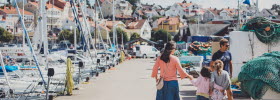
(162, 35)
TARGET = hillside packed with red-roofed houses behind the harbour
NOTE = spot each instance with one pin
(180, 19)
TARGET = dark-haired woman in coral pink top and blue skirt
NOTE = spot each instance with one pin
(168, 65)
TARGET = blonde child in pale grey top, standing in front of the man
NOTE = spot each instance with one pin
(221, 78)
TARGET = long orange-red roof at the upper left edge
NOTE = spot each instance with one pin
(12, 10)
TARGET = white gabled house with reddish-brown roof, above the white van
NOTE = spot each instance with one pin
(142, 27)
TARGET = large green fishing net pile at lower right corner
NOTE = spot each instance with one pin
(260, 74)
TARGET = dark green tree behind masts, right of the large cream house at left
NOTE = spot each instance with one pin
(68, 35)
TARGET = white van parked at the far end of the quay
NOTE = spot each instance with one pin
(145, 51)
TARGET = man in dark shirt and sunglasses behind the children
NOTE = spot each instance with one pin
(224, 55)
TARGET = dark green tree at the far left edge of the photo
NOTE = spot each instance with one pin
(5, 36)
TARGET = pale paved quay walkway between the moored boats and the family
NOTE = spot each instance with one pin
(130, 81)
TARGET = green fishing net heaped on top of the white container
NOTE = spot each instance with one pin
(265, 30)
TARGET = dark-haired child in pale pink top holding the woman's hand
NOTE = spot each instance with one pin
(203, 84)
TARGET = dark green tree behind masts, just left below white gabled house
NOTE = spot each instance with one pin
(120, 33)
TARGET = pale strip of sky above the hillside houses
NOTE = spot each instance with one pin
(214, 3)
